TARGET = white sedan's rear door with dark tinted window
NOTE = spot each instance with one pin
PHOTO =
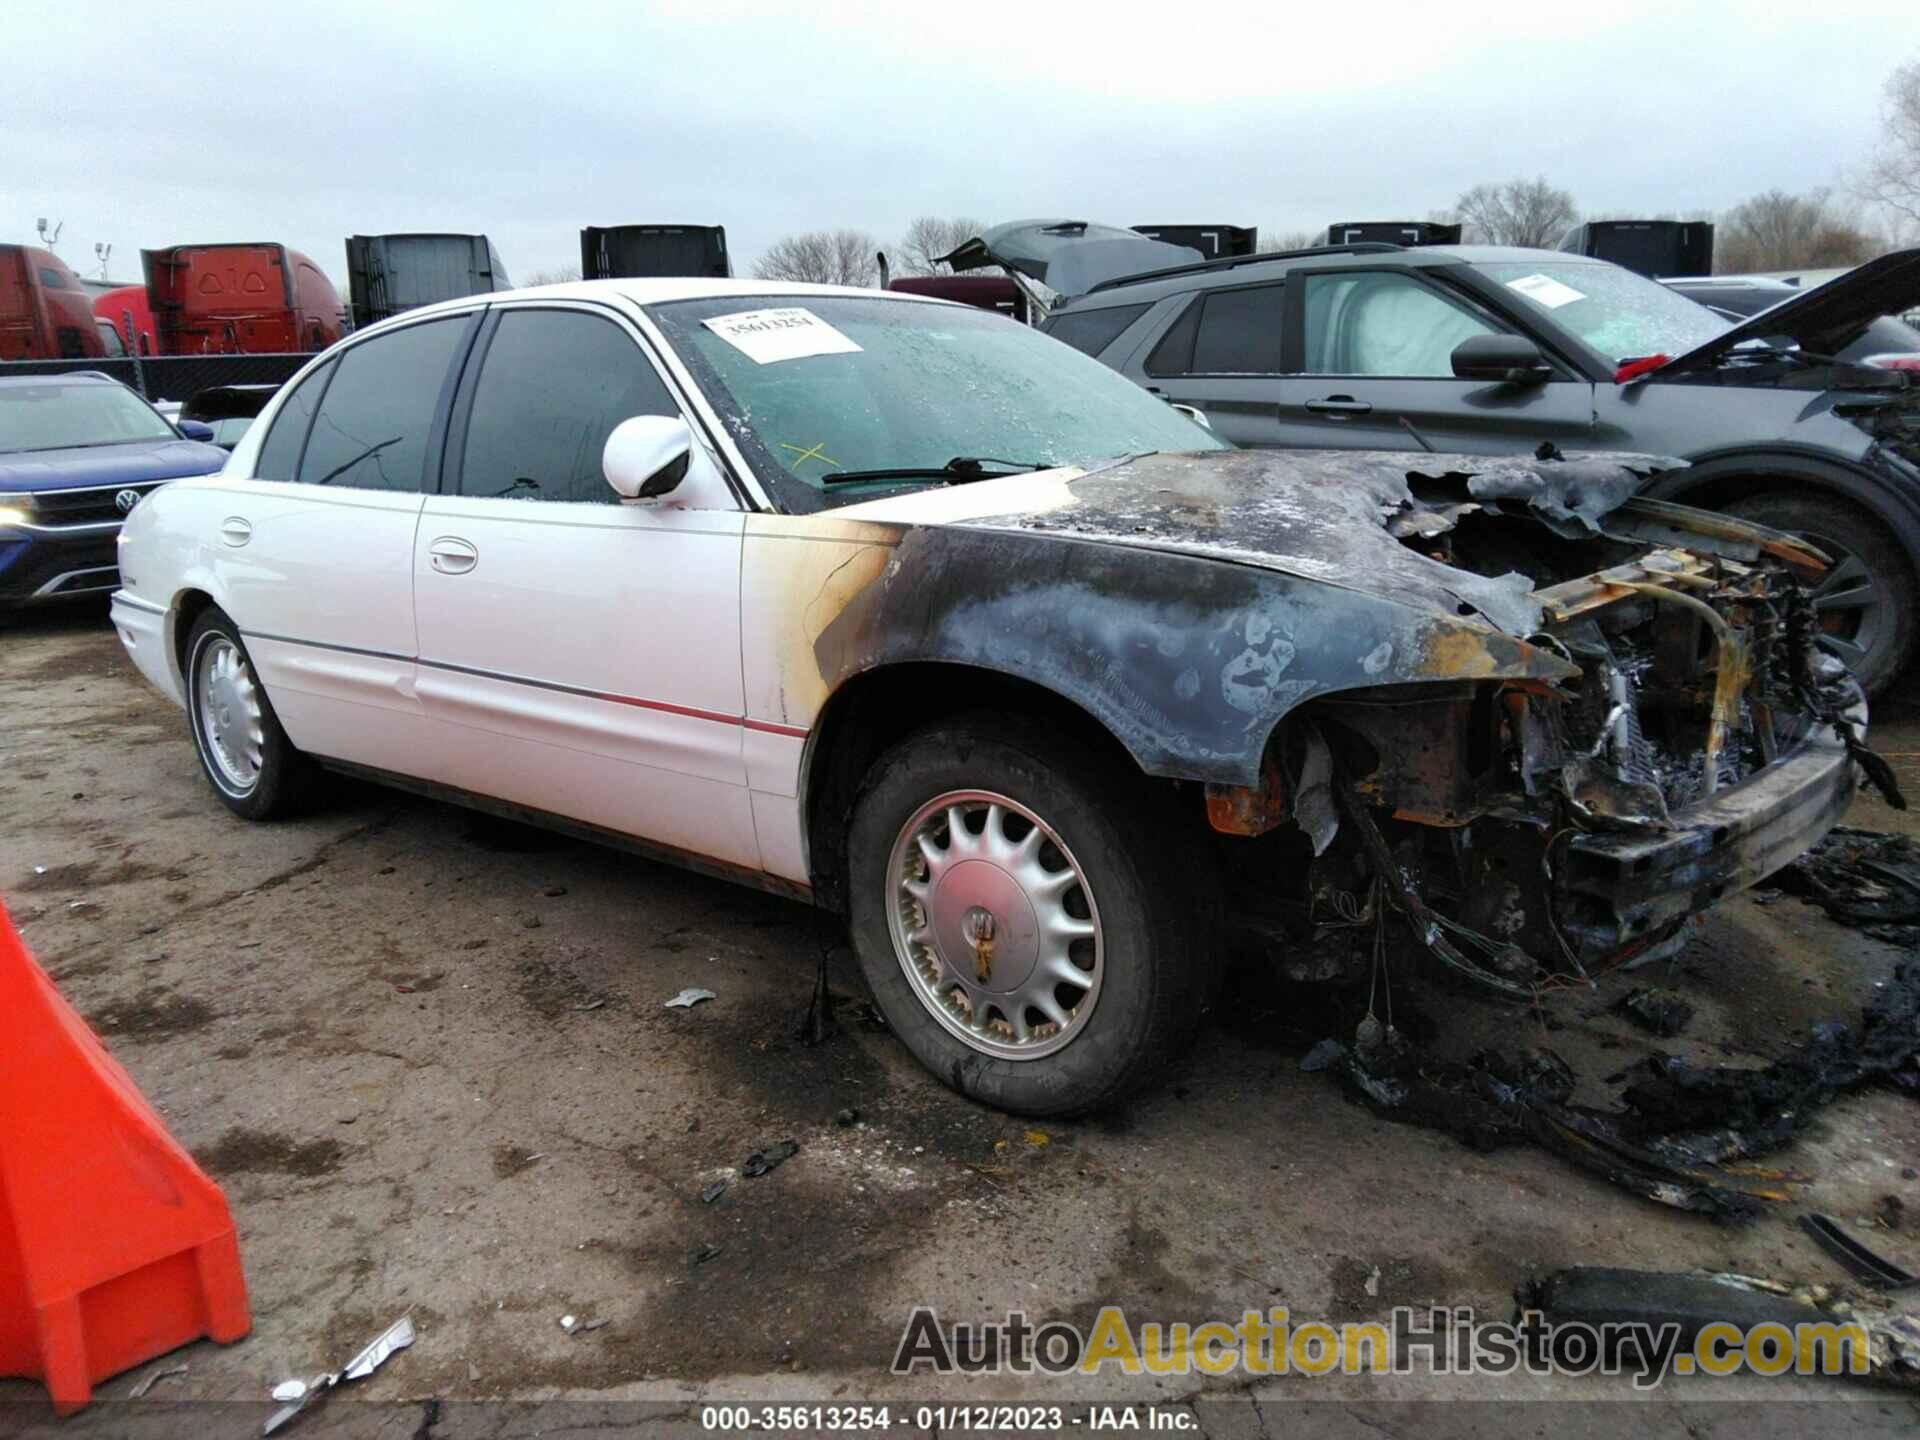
(316, 554)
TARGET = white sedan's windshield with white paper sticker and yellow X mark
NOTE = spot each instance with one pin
(815, 387)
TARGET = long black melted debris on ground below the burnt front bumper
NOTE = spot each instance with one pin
(1679, 1128)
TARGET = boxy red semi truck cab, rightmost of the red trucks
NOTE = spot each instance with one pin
(239, 300)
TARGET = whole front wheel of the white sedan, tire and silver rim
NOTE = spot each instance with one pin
(1015, 917)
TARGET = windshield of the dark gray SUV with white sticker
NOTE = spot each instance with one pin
(1616, 312)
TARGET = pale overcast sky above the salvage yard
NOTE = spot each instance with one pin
(162, 124)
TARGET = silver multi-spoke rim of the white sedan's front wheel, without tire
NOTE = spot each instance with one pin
(996, 924)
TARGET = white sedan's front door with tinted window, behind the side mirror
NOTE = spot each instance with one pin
(579, 656)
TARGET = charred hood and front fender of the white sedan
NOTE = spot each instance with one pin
(1191, 602)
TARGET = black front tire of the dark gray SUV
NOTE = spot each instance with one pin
(1877, 640)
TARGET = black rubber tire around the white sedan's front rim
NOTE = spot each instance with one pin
(1155, 967)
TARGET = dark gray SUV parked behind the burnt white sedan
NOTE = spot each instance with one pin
(1493, 350)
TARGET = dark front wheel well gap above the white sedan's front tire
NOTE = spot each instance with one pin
(875, 711)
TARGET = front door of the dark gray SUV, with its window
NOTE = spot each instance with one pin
(1372, 354)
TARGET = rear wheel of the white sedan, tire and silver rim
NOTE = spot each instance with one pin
(243, 750)
